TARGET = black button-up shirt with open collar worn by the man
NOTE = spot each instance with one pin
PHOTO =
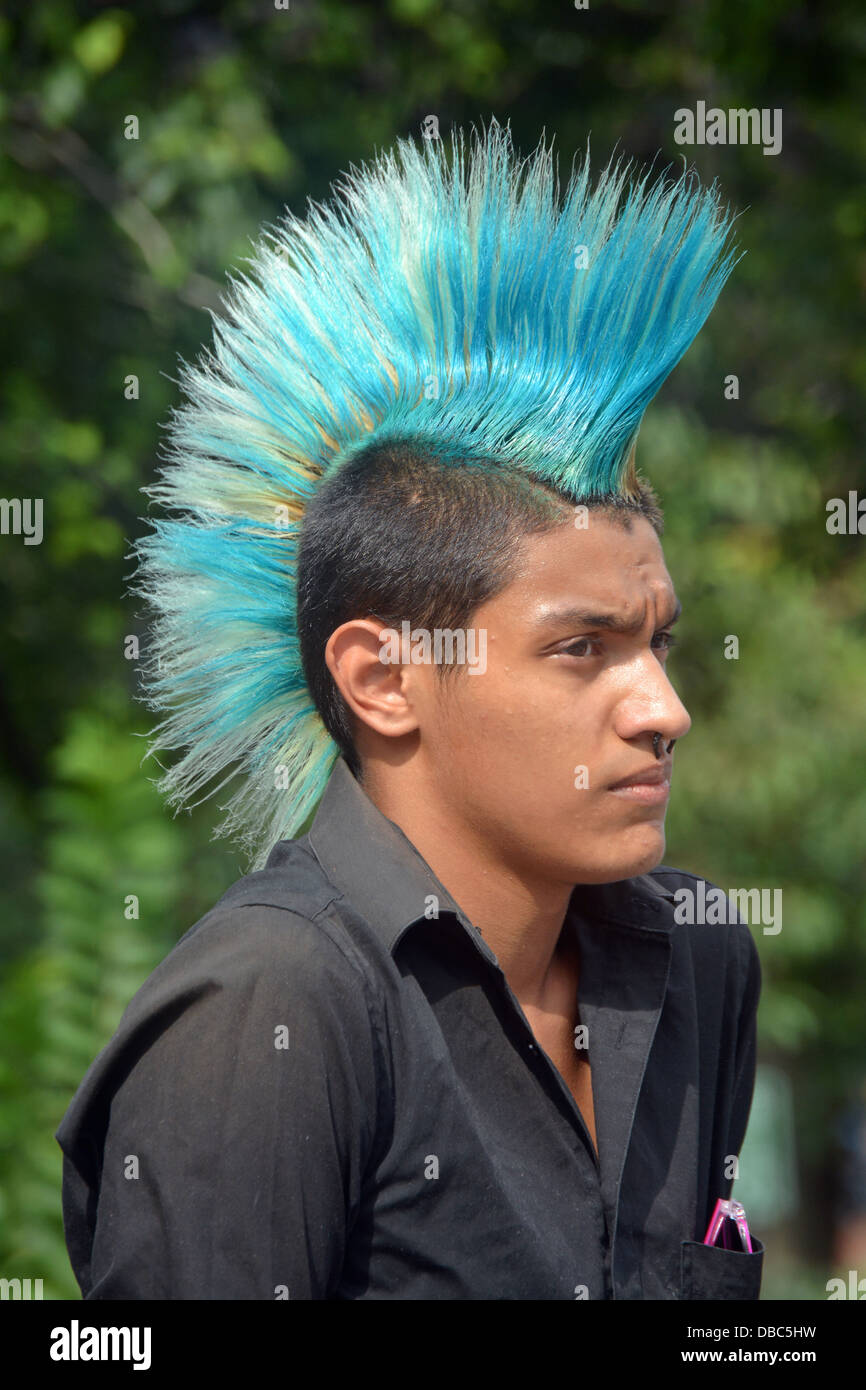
(329, 1092)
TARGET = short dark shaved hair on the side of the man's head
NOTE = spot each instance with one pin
(408, 530)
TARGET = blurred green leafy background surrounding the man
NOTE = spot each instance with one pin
(113, 251)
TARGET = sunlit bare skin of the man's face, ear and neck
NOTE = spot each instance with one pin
(479, 772)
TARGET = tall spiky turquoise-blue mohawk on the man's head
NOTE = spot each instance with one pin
(461, 300)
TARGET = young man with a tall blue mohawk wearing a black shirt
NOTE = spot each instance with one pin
(451, 1042)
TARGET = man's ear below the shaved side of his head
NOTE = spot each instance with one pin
(365, 661)
